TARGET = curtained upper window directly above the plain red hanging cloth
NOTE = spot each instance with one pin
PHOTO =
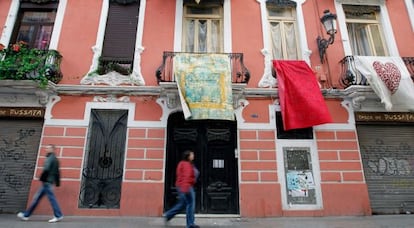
(283, 32)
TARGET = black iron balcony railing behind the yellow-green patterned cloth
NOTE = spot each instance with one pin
(239, 72)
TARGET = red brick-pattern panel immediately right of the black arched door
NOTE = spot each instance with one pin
(257, 154)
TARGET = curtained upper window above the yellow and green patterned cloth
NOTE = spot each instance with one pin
(203, 28)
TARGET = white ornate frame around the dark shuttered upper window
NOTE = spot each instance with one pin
(136, 76)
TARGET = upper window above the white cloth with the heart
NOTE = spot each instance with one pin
(364, 30)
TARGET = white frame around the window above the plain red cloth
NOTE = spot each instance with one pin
(267, 79)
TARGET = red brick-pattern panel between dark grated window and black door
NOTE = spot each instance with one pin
(145, 155)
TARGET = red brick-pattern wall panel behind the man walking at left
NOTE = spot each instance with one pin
(70, 143)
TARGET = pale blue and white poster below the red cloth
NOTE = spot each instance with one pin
(299, 183)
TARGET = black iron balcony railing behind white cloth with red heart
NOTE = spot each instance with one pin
(351, 76)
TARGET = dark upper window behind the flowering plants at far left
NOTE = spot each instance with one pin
(34, 24)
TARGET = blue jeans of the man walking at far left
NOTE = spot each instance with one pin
(47, 189)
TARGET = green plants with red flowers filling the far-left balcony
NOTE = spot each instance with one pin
(19, 62)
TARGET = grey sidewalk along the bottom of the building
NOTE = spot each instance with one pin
(385, 221)
